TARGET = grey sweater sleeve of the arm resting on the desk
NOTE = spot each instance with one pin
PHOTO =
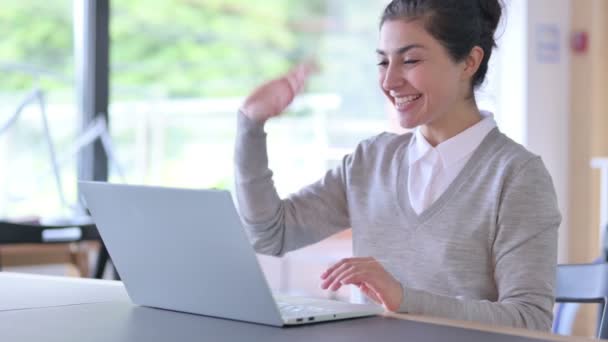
(524, 255)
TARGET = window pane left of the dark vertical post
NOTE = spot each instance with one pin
(36, 58)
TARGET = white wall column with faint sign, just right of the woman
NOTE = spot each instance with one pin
(548, 96)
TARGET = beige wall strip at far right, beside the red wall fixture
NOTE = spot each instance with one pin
(588, 137)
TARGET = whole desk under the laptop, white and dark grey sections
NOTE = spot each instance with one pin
(100, 311)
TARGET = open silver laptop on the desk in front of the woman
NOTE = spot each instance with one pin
(186, 250)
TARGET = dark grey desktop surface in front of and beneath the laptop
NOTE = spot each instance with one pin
(124, 322)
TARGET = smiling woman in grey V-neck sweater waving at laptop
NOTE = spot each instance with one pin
(454, 219)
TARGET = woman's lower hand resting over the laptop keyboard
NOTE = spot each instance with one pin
(371, 278)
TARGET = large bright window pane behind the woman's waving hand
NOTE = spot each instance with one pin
(180, 70)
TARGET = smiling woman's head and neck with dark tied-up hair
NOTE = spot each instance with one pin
(431, 60)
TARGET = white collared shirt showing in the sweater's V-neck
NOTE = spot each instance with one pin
(432, 169)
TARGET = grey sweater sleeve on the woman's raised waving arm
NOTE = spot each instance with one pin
(276, 226)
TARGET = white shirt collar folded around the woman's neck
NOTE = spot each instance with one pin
(455, 148)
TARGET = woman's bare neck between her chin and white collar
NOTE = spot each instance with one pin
(451, 124)
